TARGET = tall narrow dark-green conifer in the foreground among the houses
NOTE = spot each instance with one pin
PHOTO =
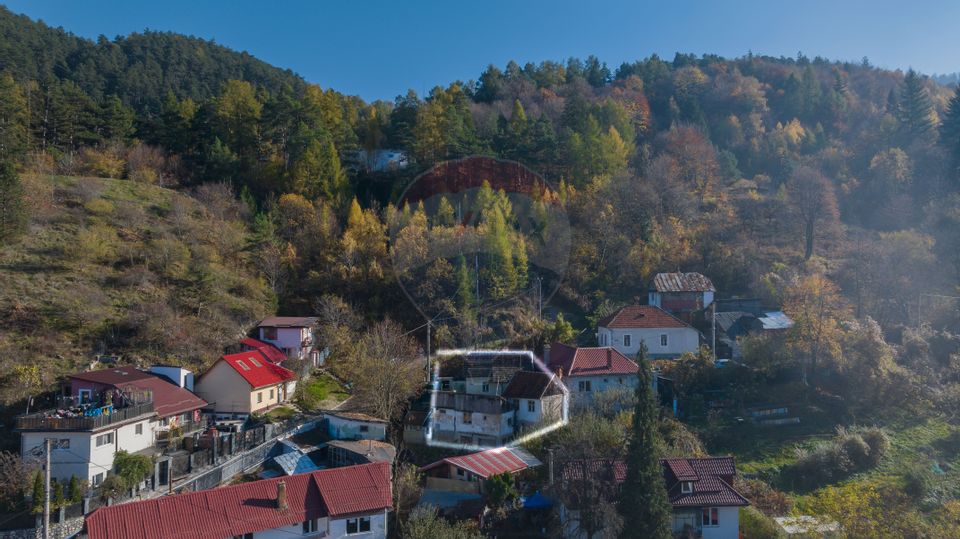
(643, 500)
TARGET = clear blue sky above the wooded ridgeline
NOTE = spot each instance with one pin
(379, 49)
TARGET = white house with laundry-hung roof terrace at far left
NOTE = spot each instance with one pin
(105, 411)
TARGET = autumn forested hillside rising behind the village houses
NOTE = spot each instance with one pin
(159, 193)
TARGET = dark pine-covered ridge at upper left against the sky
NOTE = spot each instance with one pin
(140, 68)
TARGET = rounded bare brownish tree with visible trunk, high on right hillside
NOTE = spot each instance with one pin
(813, 200)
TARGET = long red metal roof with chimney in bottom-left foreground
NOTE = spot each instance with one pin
(248, 507)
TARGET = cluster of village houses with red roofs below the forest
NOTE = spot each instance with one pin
(328, 472)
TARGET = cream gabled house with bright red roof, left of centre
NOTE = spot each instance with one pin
(240, 384)
